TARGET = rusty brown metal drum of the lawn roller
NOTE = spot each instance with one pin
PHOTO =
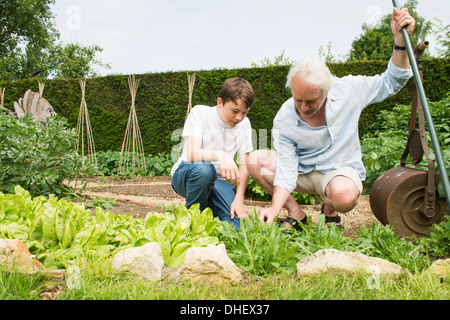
(398, 198)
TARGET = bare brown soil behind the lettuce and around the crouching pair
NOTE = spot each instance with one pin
(139, 196)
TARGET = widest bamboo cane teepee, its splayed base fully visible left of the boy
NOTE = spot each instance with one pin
(132, 156)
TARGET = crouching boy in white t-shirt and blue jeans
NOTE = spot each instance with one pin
(206, 172)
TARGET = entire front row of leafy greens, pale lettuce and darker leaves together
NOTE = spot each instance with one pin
(60, 232)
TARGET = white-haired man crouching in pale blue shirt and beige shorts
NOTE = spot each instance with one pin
(316, 134)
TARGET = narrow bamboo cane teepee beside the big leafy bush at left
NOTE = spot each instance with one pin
(85, 137)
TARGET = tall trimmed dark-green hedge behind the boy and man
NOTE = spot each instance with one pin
(162, 99)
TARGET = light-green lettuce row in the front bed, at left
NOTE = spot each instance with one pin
(57, 230)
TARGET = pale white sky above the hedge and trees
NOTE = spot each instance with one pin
(144, 36)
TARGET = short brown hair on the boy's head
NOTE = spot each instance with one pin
(235, 89)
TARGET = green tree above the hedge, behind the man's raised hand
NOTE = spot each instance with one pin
(376, 42)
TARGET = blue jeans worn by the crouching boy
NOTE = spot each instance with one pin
(198, 183)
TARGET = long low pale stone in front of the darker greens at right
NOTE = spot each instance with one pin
(334, 260)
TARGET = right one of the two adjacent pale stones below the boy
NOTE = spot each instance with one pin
(210, 264)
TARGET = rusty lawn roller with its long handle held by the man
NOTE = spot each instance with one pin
(407, 198)
